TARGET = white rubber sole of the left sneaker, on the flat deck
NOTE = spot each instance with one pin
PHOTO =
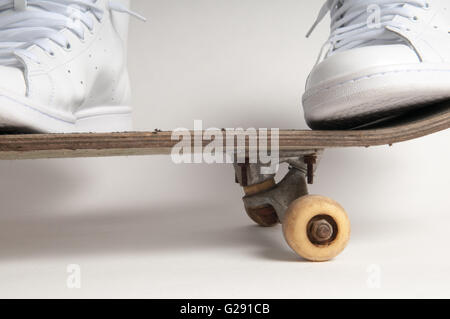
(20, 115)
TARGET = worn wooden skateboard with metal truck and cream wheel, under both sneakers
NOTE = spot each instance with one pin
(316, 227)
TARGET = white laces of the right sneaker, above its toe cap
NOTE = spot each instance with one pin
(350, 28)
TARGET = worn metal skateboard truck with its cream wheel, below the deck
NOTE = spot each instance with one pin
(317, 228)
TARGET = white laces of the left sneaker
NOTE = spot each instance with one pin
(39, 22)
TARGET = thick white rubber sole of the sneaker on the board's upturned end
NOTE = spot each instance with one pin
(358, 99)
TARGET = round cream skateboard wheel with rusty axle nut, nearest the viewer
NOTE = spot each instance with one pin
(316, 227)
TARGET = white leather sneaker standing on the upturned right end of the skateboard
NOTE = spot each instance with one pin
(383, 58)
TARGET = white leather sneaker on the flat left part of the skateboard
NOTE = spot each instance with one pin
(63, 65)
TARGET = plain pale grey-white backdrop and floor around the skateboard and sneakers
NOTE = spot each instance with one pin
(144, 227)
